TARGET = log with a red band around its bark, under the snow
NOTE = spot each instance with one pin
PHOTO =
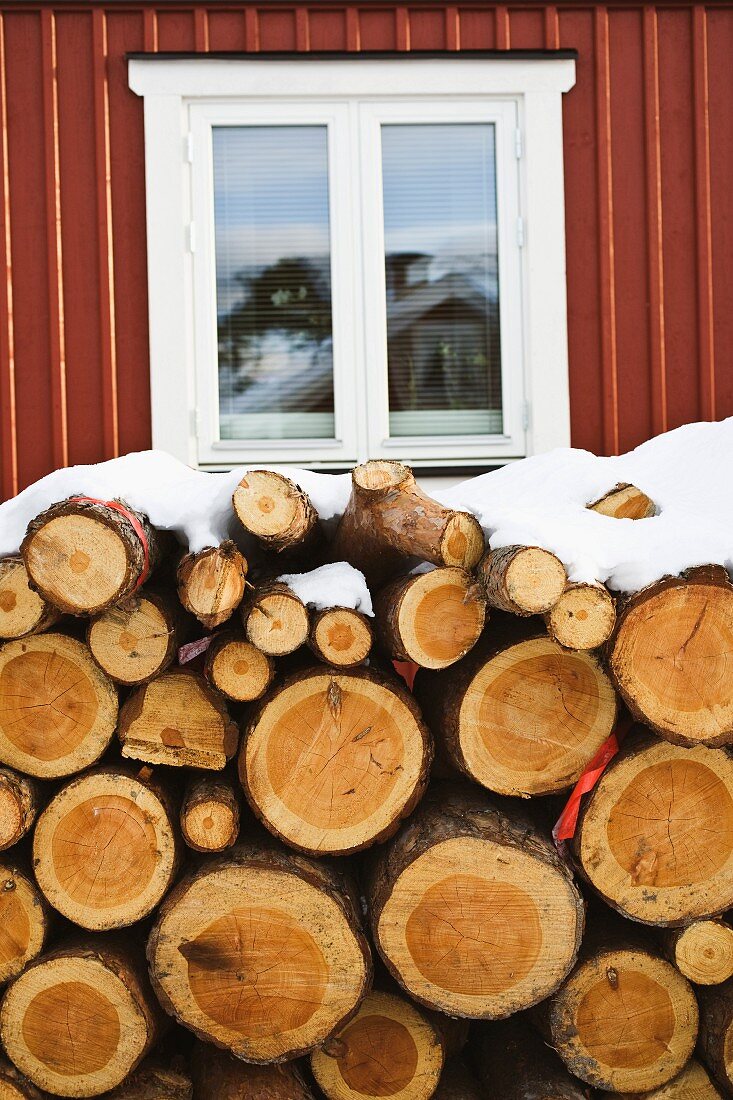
(83, 556)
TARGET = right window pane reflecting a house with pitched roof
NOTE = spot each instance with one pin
(442, 280)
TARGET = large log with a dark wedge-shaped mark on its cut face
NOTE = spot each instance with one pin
(261, 952)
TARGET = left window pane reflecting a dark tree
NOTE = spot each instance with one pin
(273, 283)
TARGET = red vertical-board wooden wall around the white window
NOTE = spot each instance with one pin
(649, 137)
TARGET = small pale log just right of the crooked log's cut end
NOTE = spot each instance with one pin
(522, 580)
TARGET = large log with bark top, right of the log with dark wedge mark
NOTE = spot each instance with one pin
(473, 910)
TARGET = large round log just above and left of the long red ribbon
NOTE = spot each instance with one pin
(520, 714)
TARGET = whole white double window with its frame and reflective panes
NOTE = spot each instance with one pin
(356, 259)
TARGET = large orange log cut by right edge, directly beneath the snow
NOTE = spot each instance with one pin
(671, 657)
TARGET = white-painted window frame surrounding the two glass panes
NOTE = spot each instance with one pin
(184, 97)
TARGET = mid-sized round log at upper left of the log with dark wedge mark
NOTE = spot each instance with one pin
(105, 849)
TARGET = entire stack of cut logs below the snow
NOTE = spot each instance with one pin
(258, 850)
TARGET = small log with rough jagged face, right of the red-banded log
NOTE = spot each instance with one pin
(212, 584)
